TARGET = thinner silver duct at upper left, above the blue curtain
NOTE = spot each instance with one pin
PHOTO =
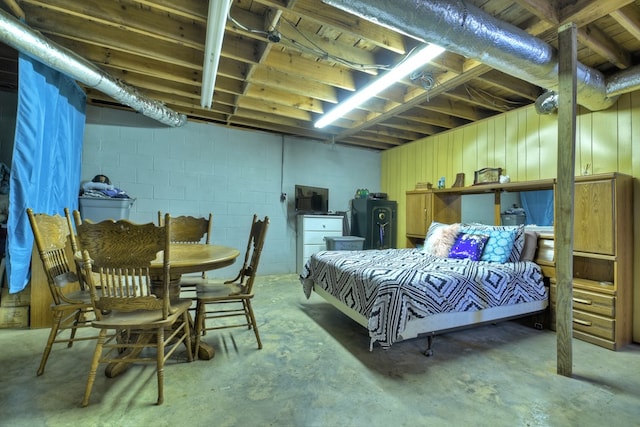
(21, 37)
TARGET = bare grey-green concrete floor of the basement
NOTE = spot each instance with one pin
(316, 370)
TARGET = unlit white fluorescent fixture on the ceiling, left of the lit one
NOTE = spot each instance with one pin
(216, 21)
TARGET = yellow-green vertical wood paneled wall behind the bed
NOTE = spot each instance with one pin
(523, 143)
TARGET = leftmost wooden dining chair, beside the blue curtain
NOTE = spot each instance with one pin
(71, 306)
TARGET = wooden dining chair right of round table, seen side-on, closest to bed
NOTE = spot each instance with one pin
(216, 301)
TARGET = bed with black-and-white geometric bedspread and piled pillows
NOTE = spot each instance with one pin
(400, 294)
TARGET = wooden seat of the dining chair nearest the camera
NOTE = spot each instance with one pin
(142, 319)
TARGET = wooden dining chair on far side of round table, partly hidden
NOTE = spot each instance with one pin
(191, 230)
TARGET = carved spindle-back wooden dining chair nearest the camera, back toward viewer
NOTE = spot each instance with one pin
(129, 298)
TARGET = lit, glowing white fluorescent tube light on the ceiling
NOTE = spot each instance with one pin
(412, 63)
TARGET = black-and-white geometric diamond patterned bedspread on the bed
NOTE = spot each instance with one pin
(390, 287)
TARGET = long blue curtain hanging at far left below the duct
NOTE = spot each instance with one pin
(47, 156)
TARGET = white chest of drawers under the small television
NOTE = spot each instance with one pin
(312, 229)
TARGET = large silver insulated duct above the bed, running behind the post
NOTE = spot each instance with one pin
(468, 31)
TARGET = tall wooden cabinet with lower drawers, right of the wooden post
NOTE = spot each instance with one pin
(602, 260)
